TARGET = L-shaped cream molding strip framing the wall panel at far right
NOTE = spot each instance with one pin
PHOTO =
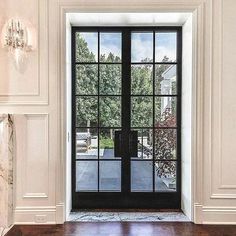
(217, 162)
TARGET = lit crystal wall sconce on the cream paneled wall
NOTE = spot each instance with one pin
(18, 37)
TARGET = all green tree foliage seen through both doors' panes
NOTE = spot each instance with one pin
(110, 84)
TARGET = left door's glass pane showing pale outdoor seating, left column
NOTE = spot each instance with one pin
(86, 143)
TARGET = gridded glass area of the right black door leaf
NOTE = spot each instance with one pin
(154, 110)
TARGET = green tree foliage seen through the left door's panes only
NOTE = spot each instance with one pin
(87, 84)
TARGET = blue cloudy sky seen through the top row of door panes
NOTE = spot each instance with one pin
(142, 45)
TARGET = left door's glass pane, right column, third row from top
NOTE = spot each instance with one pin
(110, 111)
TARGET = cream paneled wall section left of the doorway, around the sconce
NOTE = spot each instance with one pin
(33, 94)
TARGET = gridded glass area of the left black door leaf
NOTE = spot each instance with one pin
(98, 110)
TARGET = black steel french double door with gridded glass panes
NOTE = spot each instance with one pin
(126, 117)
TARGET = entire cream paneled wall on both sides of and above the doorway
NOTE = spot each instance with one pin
(37, 95)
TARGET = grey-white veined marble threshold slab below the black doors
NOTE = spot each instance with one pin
(88, 216)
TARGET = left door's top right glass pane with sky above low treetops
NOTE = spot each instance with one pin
(110, 47)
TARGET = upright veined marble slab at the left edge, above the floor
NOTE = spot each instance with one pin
(6, 170)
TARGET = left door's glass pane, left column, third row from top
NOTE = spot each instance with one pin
(86, 111)
